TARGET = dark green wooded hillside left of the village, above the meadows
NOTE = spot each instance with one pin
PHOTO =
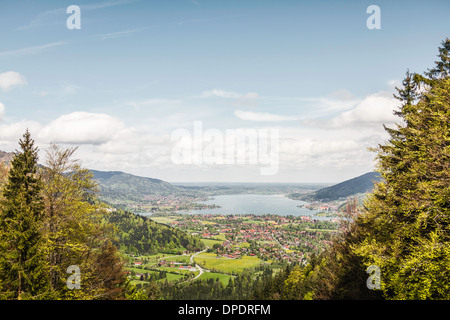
(139, 235)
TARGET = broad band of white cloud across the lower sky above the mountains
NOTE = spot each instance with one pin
(306, 153)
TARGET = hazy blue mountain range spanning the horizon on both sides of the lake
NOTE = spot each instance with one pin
(119, 185)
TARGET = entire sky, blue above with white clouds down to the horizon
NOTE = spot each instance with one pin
(137, 71)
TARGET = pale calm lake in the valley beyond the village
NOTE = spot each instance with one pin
(255, 204)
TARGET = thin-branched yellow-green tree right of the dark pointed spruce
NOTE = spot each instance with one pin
(75, 230)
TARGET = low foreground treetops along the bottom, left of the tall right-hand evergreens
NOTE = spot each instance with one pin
(316, 280)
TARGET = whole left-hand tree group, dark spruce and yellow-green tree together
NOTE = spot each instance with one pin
(54, 242)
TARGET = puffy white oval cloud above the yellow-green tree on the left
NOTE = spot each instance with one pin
(81, 128)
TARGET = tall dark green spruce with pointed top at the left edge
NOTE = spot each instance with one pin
(22, 263)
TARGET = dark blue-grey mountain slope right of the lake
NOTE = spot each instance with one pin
(360, 184)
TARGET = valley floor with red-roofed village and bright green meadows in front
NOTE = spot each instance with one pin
(235, 243)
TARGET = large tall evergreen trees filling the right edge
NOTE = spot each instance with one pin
(406, 227)
